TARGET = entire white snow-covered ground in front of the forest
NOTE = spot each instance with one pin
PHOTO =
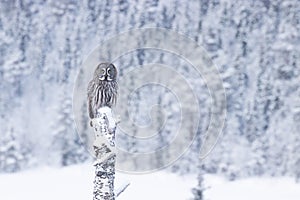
(76, 183)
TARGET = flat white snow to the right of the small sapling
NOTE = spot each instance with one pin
(253, 188)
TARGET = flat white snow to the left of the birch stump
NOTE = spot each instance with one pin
(46, 183)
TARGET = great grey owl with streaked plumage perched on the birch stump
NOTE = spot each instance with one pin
(102, 89)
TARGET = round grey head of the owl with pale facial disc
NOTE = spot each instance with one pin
(106, 72)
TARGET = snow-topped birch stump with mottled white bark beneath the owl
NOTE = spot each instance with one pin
(104, 147)
